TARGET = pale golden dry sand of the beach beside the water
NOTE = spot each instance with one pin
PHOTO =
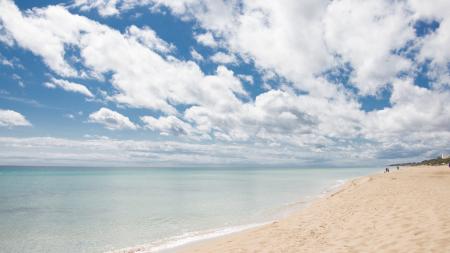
(401, 211)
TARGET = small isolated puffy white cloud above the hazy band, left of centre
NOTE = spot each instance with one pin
(111, 120)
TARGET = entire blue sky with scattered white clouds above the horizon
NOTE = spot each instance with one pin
(161, 83)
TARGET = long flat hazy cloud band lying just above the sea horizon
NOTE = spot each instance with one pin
(98, 150)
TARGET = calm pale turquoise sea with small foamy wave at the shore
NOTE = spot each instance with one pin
(100, 209)
